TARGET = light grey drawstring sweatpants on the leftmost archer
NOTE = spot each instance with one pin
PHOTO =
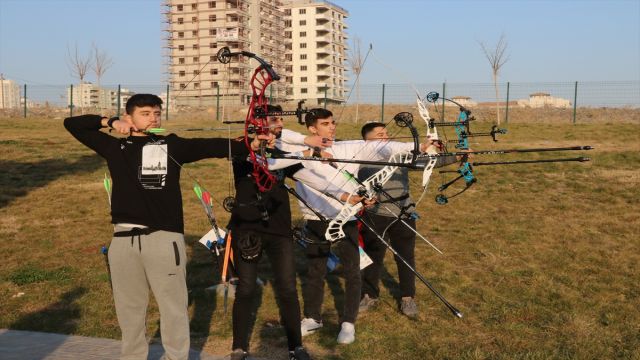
(158, 261)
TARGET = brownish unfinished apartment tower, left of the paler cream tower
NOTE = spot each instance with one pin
(196, 30)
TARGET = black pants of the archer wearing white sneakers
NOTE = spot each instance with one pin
(317, 255)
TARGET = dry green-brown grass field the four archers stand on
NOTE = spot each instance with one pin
(543, 260)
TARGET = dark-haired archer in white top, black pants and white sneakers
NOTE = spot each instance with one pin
(320, 123)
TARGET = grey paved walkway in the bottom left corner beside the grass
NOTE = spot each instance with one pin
(31, 345)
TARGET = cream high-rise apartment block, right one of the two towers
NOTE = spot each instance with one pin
(316, 50)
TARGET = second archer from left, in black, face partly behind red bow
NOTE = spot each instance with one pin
(262, 221)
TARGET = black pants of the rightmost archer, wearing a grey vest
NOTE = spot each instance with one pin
(402, 239)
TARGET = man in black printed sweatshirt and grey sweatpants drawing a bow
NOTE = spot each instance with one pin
(148, 250)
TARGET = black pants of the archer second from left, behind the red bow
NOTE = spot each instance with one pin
(279, 249)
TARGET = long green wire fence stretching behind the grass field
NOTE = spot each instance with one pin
(66, 100)
